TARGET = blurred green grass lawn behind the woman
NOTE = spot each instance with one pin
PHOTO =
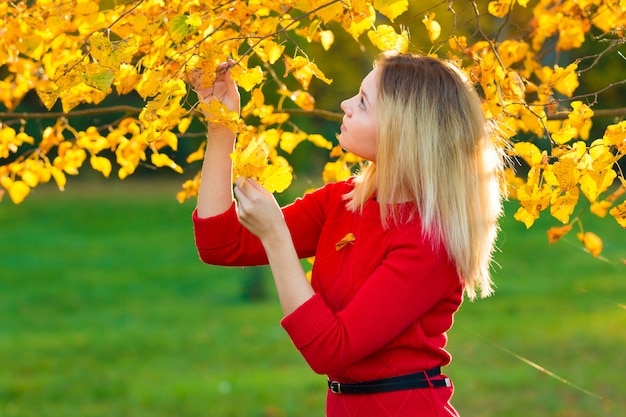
(105, 310)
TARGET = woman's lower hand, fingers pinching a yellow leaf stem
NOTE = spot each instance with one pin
(258, 211)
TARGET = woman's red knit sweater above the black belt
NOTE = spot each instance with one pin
(383, 302)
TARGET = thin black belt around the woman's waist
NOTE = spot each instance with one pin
(412, 381)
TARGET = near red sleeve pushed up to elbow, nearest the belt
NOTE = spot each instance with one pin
(411, 281)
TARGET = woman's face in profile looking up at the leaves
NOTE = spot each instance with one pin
(359, 129)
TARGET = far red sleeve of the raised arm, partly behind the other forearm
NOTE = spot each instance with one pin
(222, 240)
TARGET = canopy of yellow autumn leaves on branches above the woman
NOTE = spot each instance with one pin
(526, 57)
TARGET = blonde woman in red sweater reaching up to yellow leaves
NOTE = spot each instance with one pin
(395, 247)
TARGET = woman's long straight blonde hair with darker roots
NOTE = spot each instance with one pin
(434, 148)
